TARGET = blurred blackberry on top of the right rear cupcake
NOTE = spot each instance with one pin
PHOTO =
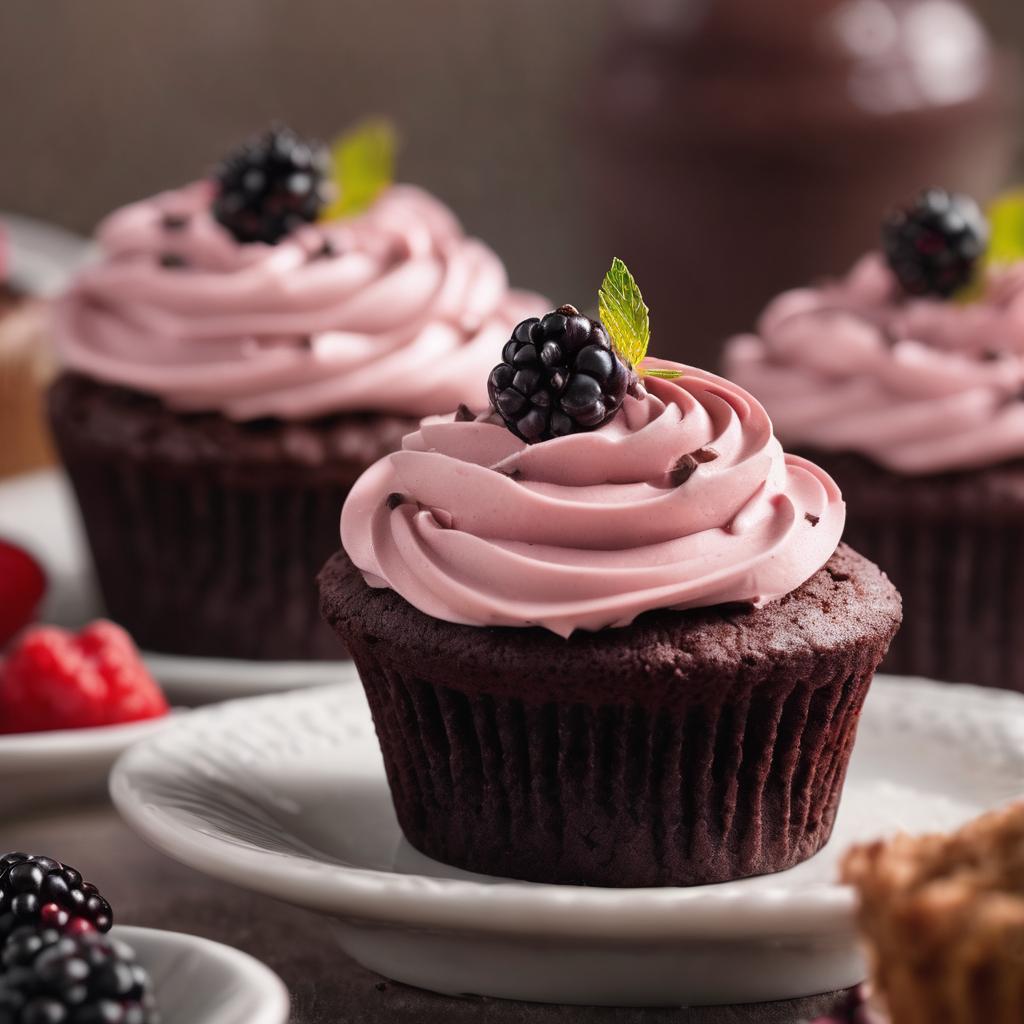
(934, 245)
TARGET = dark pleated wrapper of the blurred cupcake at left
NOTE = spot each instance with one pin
(200, 564)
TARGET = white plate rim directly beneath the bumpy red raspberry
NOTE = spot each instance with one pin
(46, 769)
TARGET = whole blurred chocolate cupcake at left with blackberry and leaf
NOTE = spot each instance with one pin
(245, 348)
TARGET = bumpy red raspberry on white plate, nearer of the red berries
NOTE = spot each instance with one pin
(58, 680)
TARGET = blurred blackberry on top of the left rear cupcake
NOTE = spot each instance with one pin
(271, 186)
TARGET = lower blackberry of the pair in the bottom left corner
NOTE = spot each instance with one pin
(51, 978)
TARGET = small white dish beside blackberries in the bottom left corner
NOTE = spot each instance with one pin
(197, 982)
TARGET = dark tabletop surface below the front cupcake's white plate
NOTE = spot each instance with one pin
(327, 988)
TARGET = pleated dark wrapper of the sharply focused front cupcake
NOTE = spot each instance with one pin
(618, 795)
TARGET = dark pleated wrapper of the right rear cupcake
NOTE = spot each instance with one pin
(963, 588)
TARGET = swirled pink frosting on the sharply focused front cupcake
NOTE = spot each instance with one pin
(473, 526)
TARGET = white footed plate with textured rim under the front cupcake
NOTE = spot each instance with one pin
(287, 795)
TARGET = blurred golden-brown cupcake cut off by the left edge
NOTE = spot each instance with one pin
(26, 368)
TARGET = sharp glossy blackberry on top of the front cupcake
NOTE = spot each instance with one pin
(559, 375)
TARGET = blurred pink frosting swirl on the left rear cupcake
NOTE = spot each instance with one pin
(402, 314)
